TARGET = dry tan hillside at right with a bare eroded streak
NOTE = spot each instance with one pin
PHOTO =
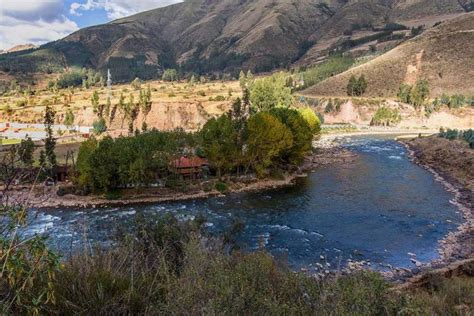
(443, 55)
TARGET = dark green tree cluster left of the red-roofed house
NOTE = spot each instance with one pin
(107, 164)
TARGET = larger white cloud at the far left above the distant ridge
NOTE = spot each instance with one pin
(32, 21)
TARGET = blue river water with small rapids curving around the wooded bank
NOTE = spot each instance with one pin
(378, 208)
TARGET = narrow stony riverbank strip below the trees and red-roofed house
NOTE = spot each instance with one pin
(326, 152)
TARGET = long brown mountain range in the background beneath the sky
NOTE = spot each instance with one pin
(206, 36)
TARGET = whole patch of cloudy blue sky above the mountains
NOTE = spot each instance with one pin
(41, 21)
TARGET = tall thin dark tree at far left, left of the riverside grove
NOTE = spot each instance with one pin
(48, 156)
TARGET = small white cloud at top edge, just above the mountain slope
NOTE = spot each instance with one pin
(119, 8)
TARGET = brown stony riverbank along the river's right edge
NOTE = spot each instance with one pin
(451, 163)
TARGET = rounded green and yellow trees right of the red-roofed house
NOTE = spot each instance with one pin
(268, 139)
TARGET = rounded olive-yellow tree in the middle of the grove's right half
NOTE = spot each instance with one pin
(267, 138)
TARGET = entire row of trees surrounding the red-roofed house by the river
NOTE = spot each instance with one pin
(232, 144)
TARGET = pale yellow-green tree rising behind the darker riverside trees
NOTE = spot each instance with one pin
(270, 92)
